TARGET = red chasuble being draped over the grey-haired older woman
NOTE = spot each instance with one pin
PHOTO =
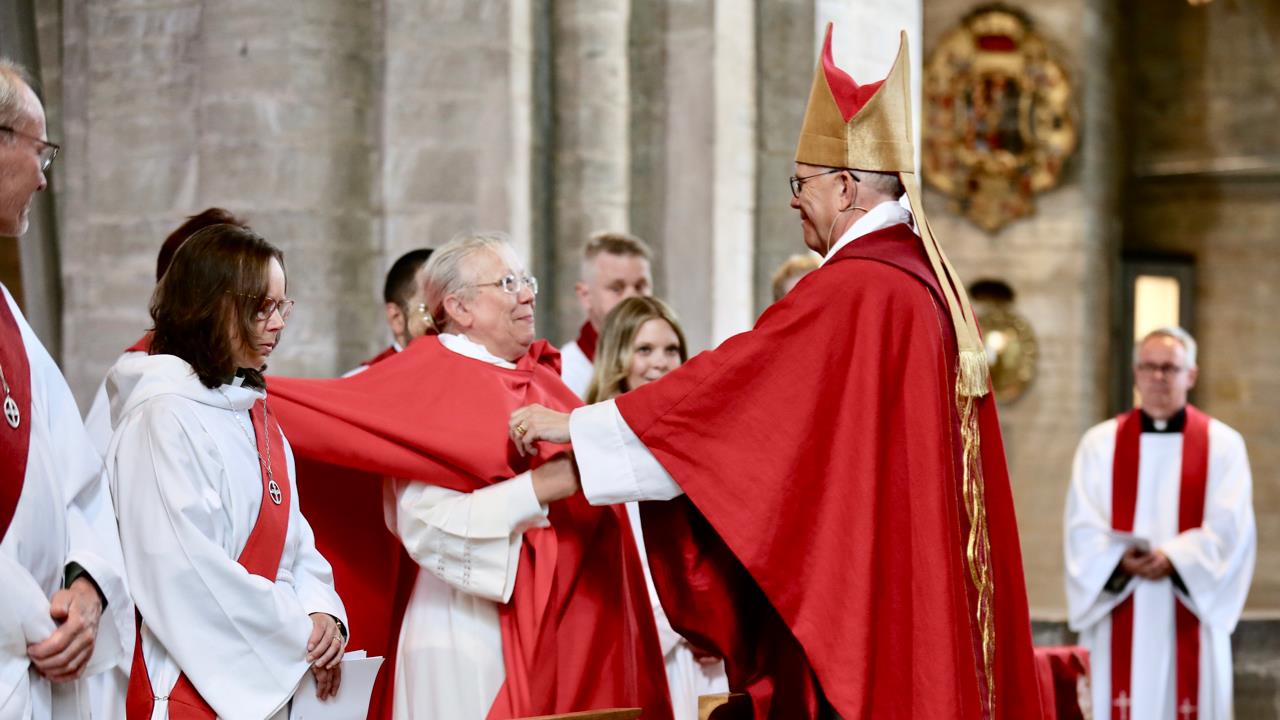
(578, 632)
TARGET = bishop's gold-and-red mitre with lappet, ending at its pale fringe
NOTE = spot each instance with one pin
(868, 127)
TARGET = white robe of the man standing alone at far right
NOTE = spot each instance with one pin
(1215, 562)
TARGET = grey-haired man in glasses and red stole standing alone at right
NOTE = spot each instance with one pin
(1160, 545)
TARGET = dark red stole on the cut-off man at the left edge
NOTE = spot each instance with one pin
(16, 420)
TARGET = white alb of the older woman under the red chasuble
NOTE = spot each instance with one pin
(450, 654)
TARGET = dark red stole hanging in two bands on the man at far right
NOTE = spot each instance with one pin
(1191, 514)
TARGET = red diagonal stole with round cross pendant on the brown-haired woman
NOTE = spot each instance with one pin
(262, 557)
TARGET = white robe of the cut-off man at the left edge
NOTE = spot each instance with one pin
(62, 517)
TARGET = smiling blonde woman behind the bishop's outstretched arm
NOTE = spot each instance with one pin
(641, 343)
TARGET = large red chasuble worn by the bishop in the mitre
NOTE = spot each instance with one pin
(821, 548)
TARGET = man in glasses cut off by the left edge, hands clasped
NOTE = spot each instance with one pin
(57, 523)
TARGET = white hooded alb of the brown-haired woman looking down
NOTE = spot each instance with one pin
(188, 485)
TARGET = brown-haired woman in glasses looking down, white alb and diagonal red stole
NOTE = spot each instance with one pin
(235, 603)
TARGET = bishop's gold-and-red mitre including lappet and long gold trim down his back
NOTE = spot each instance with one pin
(868, 127)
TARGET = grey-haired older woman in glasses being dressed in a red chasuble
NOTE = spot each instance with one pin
(524, 599)
